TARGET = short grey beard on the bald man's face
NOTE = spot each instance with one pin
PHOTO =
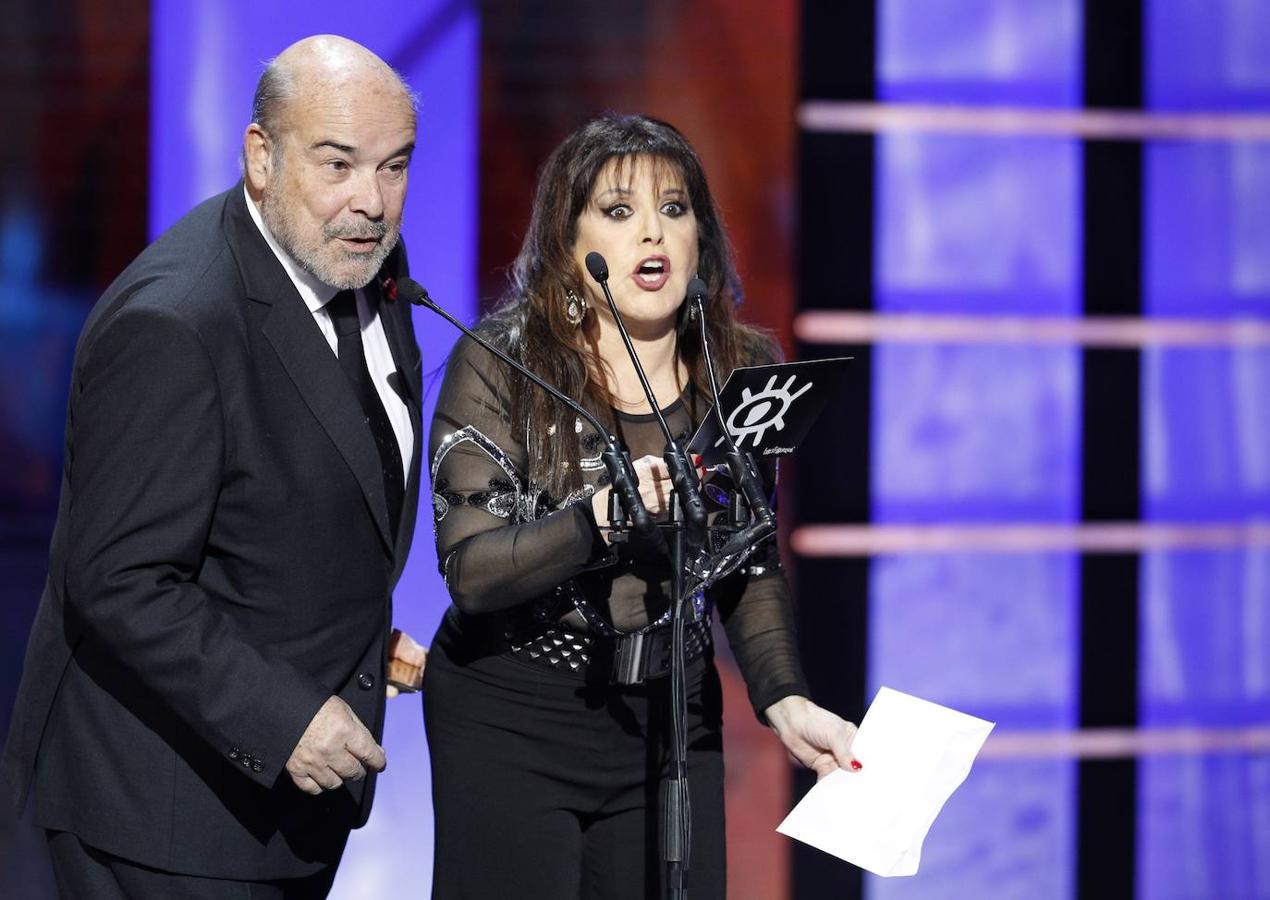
(276, 214)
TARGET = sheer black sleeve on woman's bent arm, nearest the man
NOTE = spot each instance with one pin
(492, 550)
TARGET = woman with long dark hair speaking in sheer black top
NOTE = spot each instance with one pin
(545, 758)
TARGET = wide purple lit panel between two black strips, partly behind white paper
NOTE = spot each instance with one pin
(986, 435)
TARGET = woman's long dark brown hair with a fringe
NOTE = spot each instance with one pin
(531, 324)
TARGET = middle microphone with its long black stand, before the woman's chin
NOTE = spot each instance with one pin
(688, 515)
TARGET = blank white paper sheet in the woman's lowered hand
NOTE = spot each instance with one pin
(915, 755)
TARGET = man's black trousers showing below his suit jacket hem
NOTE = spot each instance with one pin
(83, 873)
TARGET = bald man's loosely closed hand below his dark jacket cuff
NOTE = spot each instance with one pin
(335, 748)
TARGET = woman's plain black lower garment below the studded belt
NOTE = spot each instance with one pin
(547, 788)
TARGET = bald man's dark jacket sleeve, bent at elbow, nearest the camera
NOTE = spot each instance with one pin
(145, 473)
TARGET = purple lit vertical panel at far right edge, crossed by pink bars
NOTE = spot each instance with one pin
(1203, 822)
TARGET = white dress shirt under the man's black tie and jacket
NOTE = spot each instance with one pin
(375, 343)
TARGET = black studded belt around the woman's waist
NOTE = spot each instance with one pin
(624, 659)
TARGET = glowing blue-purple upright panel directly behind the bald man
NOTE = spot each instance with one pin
(205, 67)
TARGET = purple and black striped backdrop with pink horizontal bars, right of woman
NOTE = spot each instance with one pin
(1062, 322)
